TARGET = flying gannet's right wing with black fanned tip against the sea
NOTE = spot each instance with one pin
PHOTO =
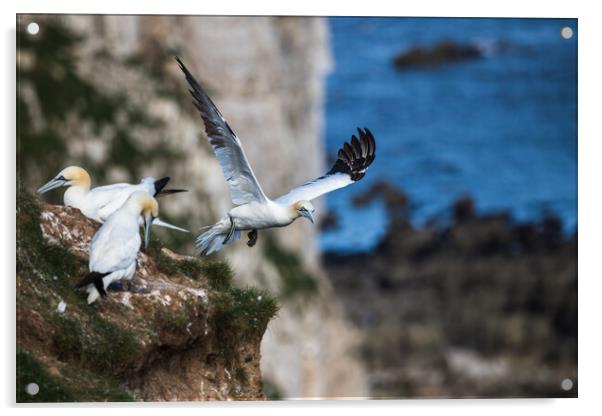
(351, 165)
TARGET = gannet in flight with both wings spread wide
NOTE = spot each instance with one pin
(254, 210)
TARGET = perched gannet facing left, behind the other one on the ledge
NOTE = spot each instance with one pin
(100, 202)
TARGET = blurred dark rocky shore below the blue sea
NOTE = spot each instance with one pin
(480, 307)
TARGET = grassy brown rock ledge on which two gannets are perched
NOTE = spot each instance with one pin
(183, 333)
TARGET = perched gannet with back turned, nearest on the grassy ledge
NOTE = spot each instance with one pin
(116, 244)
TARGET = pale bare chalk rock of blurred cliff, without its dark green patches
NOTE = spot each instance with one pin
(267, 76)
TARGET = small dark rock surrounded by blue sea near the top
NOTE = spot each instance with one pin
(438, 55)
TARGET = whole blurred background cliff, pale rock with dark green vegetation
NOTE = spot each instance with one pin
(124, 112)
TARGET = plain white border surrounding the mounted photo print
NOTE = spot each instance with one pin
(590, 203)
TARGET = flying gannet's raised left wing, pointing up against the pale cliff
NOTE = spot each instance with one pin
(228, 150)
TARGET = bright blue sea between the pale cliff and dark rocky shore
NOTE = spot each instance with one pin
(501, 128)
